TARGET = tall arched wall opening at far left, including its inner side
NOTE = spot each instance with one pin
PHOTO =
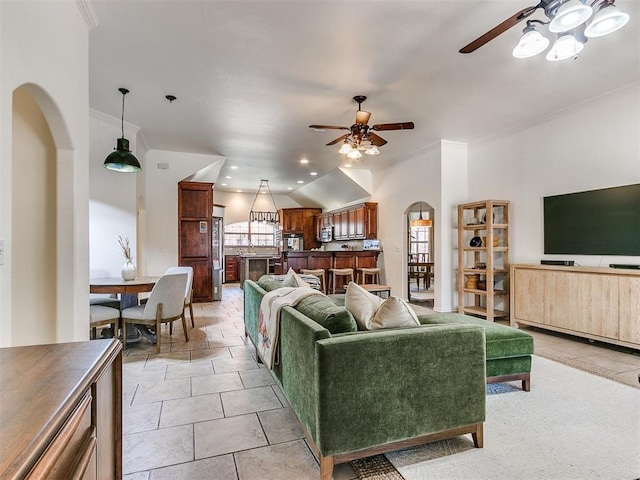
(42, 233)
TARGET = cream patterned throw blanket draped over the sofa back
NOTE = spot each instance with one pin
(269, 318)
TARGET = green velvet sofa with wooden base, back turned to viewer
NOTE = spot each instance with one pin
(358, 394)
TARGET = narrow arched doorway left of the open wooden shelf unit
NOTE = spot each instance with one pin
(420, 253)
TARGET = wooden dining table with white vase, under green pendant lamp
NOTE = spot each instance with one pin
(128, 291)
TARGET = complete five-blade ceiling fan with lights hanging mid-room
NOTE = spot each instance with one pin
(360, 136)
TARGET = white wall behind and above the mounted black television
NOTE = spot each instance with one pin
(594, 146)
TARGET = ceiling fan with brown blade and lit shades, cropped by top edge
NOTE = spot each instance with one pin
(567, 19)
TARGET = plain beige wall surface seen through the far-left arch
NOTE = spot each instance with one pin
(33, 239)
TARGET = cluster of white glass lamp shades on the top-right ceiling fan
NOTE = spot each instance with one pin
(567, 19)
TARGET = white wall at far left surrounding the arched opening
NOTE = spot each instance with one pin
(44, 46)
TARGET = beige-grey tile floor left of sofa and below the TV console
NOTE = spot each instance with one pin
(206, 409)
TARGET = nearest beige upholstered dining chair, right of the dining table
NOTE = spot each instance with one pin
(164, 305)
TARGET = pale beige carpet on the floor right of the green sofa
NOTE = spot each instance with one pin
(572, 425)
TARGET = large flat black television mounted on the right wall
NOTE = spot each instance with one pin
(596, 222)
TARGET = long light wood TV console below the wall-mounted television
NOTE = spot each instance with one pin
(592, 302)
